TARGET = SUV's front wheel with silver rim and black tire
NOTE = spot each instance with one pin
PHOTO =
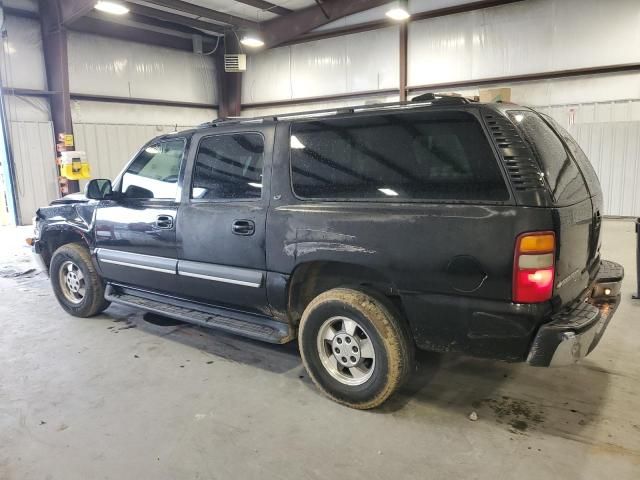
(82, 293)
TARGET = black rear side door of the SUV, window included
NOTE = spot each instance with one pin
(221, 221)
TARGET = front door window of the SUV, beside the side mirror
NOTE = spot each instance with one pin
(154, 172)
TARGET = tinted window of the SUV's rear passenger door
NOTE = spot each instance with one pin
(229, 167)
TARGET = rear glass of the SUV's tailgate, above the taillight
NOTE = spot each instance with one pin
(561, 173)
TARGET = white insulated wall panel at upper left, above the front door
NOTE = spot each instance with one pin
(106, 66)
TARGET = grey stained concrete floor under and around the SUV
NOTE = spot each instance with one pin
(132, 396)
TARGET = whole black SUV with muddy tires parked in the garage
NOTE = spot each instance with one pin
(441, 224)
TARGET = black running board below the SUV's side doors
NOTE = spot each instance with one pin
(247, 325)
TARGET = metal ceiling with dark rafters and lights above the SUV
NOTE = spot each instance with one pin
(278, 21)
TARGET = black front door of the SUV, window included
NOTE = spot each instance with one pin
(136, 234)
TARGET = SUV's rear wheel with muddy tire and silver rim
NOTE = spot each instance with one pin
(363, 380)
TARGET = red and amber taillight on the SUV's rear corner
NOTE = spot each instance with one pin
(533, 267)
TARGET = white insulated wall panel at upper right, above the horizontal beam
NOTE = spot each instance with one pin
(524, 37)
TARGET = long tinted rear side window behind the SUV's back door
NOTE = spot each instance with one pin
(419, 155)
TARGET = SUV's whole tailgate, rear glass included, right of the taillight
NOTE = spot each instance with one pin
(574, 216)
